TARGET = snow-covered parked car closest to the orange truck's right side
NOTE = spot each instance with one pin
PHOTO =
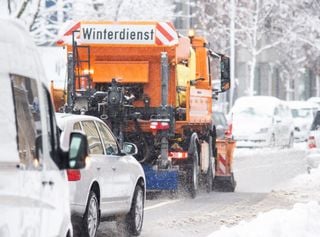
(261, 121)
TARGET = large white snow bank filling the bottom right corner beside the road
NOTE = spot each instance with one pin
(302, 220)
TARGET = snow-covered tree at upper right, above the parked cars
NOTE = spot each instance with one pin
(287, 29)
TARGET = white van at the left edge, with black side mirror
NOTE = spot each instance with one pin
(34, 199)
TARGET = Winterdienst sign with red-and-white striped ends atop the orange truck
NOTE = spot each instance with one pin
(118, 33)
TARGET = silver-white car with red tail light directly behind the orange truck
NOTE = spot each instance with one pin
(113, 183)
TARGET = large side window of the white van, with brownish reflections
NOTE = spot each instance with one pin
(28, 122)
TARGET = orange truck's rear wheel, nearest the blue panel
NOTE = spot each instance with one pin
(193, 174)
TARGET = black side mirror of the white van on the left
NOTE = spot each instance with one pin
(78, 150)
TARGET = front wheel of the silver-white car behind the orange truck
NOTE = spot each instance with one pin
(131, 224)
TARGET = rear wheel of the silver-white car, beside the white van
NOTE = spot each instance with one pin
(90, 220)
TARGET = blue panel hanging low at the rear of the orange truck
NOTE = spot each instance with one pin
(159, 180)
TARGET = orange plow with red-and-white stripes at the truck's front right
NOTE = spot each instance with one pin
(224, 179)
